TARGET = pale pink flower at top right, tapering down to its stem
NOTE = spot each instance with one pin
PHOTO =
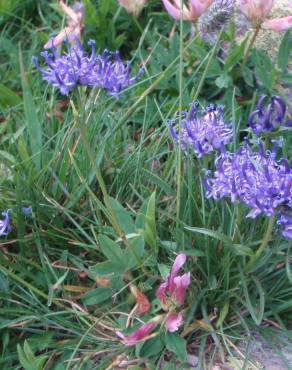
(256, 10)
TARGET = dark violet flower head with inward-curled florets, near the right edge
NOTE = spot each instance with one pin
(268, 117)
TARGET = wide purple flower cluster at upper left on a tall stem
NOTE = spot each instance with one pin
(66, 71)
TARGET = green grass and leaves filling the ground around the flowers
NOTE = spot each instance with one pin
(54, 313)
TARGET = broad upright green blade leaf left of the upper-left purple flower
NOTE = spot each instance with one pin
(33, 125)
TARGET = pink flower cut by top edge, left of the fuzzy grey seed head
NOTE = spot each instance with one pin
(190, 12)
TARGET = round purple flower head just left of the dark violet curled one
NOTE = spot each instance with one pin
(202, 131)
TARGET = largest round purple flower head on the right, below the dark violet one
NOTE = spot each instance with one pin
(257, 179)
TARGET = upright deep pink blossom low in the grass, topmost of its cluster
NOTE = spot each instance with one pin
(175, 286)
